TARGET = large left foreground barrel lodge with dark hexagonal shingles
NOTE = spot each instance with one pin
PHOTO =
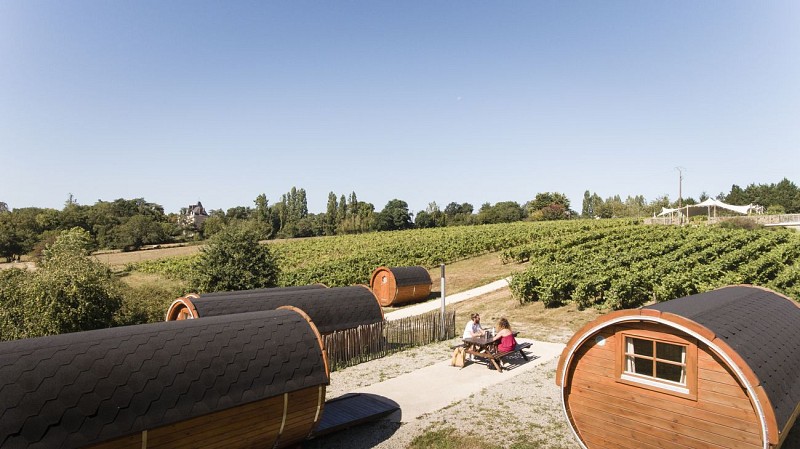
(247, 380)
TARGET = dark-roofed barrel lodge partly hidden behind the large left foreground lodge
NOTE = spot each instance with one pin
(330, 309)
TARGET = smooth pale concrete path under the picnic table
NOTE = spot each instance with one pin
(434, 387)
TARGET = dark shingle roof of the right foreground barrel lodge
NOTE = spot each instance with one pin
(762, 327)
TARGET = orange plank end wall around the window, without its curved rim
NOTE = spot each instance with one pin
(610, 414)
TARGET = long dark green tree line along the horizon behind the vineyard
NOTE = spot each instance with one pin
(130, 224)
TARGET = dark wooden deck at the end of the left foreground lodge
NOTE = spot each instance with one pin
(353, 409)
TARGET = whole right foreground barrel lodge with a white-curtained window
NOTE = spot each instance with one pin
(713, 370)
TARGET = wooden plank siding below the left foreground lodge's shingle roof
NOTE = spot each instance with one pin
(257, 424)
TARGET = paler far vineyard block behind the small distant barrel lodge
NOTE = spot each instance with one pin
(350, 259)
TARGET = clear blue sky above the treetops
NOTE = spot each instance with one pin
(465, 101)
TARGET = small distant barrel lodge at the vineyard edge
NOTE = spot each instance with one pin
(394, 286)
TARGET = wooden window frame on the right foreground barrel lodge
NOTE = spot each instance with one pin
(687, 391)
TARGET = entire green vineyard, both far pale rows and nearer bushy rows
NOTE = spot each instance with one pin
(606, 263)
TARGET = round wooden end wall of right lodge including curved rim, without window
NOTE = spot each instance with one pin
(604, 413)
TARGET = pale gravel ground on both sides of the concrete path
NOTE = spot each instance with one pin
(533, 398)
